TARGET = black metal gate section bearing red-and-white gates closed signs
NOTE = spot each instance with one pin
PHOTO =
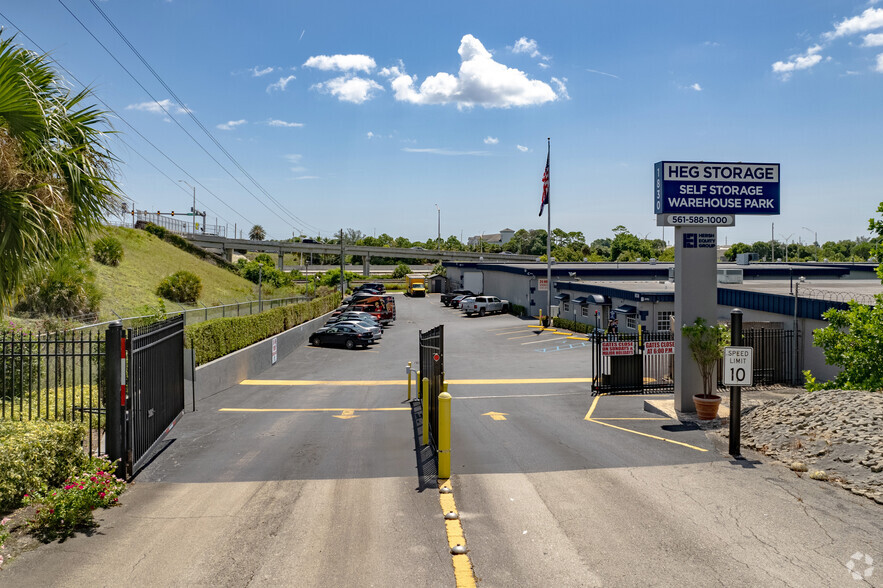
(629, 362)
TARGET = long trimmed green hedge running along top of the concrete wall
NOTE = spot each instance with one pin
(218, 337)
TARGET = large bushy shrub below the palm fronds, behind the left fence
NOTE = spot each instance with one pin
(65, 288)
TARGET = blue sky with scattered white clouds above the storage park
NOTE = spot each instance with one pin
(366, 115)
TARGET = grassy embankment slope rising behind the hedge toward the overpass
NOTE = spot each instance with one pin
(146, 261)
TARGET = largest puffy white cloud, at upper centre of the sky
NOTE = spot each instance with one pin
(480, 81)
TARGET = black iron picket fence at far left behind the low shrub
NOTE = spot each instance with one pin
(55, 376)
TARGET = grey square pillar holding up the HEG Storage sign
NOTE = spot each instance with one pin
(695, 296)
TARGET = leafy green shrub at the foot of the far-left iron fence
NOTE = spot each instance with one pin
(36, 454)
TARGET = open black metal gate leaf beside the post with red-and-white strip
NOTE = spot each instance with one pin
(155, 386)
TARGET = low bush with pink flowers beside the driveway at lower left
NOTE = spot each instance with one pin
(64, 510)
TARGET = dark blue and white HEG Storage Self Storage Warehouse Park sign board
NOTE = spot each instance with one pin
(685, 187)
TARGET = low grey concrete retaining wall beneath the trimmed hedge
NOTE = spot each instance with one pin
(231, 369)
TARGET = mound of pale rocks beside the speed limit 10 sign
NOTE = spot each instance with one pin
(838, 432)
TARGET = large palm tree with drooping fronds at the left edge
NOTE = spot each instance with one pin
(56, 174)
